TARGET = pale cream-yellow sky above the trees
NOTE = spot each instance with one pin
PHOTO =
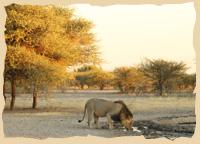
(127, 34)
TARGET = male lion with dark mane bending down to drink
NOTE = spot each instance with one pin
(102, 108)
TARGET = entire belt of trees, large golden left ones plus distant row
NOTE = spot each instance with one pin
(50, 48)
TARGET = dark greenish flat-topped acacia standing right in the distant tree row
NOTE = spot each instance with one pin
(161, 71)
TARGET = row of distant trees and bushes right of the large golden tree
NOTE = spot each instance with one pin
(152, 76)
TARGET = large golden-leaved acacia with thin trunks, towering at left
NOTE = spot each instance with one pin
(42, 41)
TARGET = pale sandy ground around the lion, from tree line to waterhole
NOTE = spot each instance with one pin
(57, 115)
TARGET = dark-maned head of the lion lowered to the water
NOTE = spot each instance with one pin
(125, 116)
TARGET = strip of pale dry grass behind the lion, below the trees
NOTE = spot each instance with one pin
(73, 102)
